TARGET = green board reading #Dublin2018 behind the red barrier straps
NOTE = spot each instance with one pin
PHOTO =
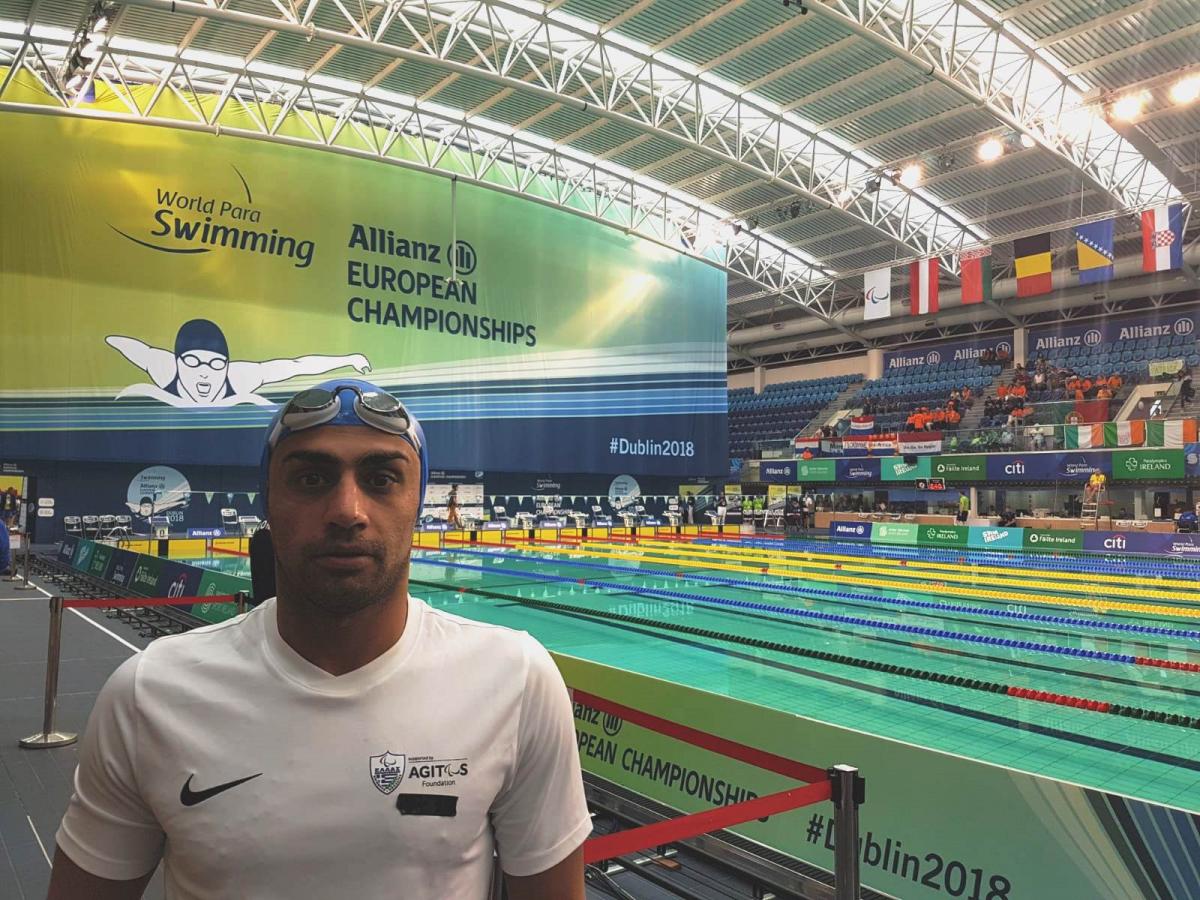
(935, 825)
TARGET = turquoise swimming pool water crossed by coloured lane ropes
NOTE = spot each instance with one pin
(910, 645)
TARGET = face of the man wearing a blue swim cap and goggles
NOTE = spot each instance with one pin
(343, 506)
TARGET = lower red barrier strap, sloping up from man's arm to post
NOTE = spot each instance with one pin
(683, 827)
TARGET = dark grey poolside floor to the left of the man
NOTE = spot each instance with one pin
(35, 785)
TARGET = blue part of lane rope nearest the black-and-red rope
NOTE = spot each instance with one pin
(1037, 647)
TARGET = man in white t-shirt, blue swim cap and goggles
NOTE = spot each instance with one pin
(343, 740)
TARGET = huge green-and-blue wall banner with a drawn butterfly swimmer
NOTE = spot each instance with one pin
(165, 290)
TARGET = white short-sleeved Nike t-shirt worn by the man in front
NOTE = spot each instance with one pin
(395, 781)
